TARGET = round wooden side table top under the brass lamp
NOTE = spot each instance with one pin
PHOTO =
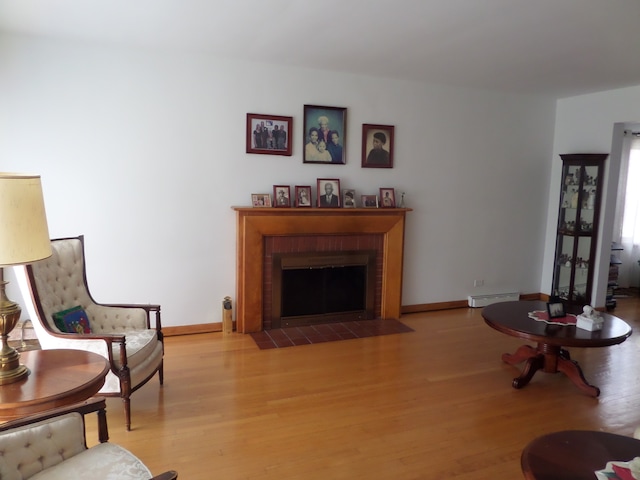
(57, 378)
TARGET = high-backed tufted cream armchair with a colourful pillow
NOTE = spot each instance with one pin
(121, 333)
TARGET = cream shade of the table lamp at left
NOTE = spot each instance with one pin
(24, 234)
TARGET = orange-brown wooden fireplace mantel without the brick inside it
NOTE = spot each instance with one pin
(253, 224)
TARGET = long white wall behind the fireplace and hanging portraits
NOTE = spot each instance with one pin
(143, 152)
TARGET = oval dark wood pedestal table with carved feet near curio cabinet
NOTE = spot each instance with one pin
(512, 318)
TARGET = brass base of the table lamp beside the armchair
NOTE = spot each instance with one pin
(10, 369)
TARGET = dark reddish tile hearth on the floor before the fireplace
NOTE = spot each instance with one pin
(326, 332)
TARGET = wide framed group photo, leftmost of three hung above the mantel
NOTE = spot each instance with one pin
(269, 134)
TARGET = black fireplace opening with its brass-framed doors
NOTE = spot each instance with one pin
(322, 287)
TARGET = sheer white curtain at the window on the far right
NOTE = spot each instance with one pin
(630, 231)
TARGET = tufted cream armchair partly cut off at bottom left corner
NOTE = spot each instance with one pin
(53, 445)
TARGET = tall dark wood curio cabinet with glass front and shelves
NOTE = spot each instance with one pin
(577, 231)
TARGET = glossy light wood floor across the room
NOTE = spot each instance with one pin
(436, 403)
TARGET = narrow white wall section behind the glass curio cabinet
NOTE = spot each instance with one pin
(585, 124)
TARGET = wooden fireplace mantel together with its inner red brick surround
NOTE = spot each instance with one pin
(258, 230)
